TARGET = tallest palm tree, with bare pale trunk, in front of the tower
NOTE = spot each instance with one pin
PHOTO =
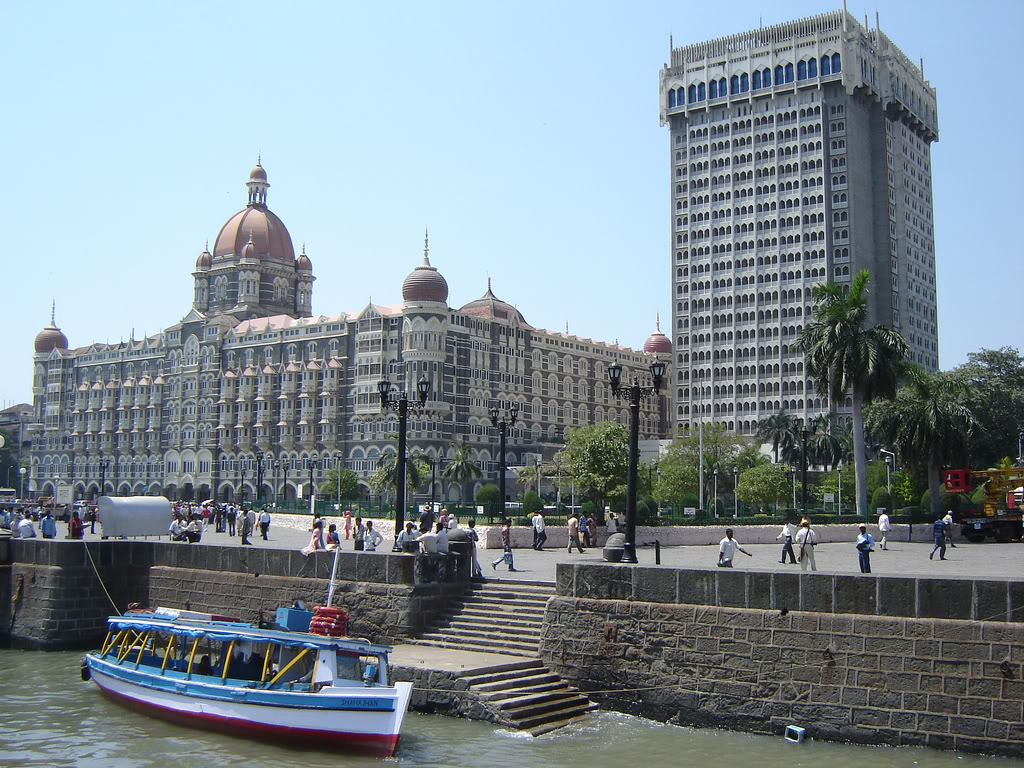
(845, 356)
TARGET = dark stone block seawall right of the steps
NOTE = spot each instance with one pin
(855, 659)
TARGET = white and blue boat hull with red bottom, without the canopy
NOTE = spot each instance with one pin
(309, 720)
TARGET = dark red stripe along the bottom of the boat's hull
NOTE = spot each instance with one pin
(370, 744)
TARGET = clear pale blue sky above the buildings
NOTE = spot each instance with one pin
(526, 136)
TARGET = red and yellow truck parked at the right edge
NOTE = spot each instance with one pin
(1001, 518)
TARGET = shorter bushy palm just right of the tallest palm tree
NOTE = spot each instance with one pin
(929, 422)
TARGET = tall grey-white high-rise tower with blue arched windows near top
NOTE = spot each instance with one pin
(800, 154)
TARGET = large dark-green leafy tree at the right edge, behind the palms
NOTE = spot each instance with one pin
(995, 381)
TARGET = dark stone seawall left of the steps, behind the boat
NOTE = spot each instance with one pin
(52, 599)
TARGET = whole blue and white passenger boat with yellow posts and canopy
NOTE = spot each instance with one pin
(273, 684)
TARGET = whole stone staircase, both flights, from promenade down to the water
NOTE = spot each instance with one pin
(506, 617)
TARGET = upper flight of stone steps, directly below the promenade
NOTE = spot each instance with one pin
(495, 617)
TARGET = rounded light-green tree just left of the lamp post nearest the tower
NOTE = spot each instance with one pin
(598, 456)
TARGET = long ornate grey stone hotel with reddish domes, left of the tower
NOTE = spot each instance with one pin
(251, 390)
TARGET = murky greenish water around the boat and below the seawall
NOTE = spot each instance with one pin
(52, 718)
